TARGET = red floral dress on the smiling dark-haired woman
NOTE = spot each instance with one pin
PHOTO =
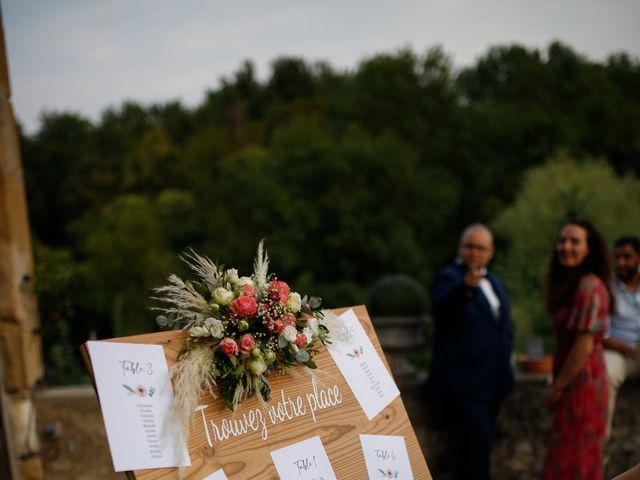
(577, 435)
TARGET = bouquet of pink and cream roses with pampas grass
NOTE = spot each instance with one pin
(239, 330)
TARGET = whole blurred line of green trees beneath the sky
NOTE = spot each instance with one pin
(349, 176)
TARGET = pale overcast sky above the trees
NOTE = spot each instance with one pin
(87, 55)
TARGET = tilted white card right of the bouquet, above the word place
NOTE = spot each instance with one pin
(362, 367)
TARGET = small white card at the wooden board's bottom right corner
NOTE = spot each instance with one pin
(386, 457)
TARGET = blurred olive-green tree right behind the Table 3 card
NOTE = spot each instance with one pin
(125, 255)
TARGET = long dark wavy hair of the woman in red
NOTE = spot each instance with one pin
(562, 282)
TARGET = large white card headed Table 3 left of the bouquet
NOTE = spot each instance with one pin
(135, 394)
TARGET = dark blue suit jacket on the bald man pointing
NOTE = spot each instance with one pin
(472, 348)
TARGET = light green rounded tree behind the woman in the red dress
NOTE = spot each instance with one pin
(563, 188)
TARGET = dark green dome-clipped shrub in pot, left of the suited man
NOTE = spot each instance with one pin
(397, 294)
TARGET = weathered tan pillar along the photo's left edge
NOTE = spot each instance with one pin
(19, 322)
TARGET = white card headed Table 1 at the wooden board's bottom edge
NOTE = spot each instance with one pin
(306, 460)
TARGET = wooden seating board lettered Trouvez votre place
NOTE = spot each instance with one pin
(242, 443)
